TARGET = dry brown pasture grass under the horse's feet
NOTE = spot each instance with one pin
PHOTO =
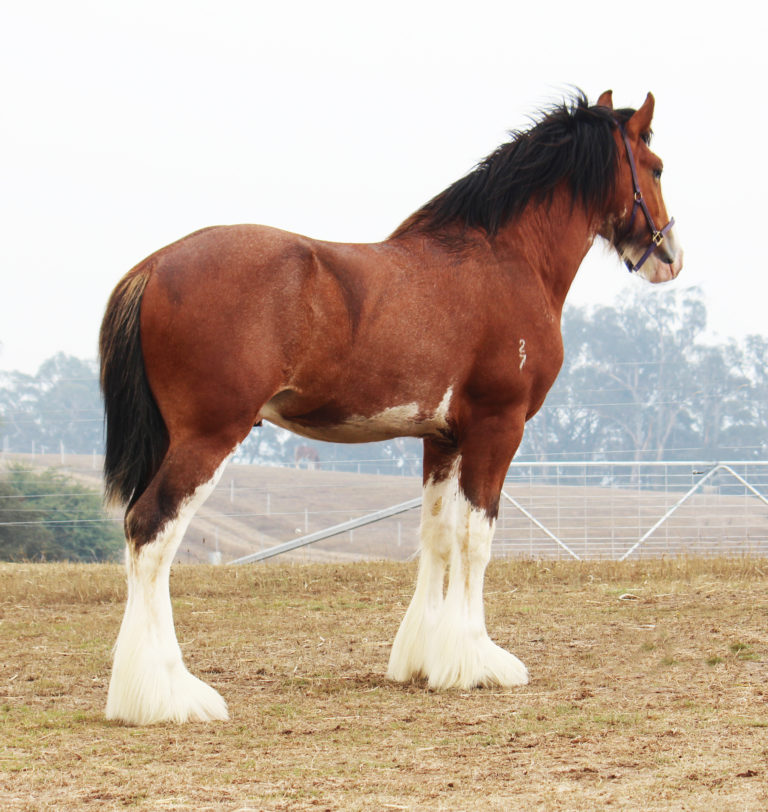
(648, 691)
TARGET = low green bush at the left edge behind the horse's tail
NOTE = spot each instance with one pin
(45, 515)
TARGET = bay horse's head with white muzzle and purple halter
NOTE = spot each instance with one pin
(637, 224)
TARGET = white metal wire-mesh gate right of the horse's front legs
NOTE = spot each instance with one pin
(618, 510)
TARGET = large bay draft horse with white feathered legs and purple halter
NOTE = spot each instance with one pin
(449, 330)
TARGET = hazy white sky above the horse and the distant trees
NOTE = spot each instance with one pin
(129, 124)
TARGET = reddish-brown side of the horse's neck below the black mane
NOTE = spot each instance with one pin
(552, 239)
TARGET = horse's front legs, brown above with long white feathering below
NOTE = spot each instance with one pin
(443, 636)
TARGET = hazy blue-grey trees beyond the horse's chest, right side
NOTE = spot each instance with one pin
(638, 383)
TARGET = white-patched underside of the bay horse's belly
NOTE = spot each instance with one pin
(405, 420)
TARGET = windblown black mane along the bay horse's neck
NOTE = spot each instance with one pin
(571, 142)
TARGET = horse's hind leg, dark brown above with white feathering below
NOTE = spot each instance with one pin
(149, 680)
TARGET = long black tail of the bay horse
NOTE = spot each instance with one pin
(136, 434)
